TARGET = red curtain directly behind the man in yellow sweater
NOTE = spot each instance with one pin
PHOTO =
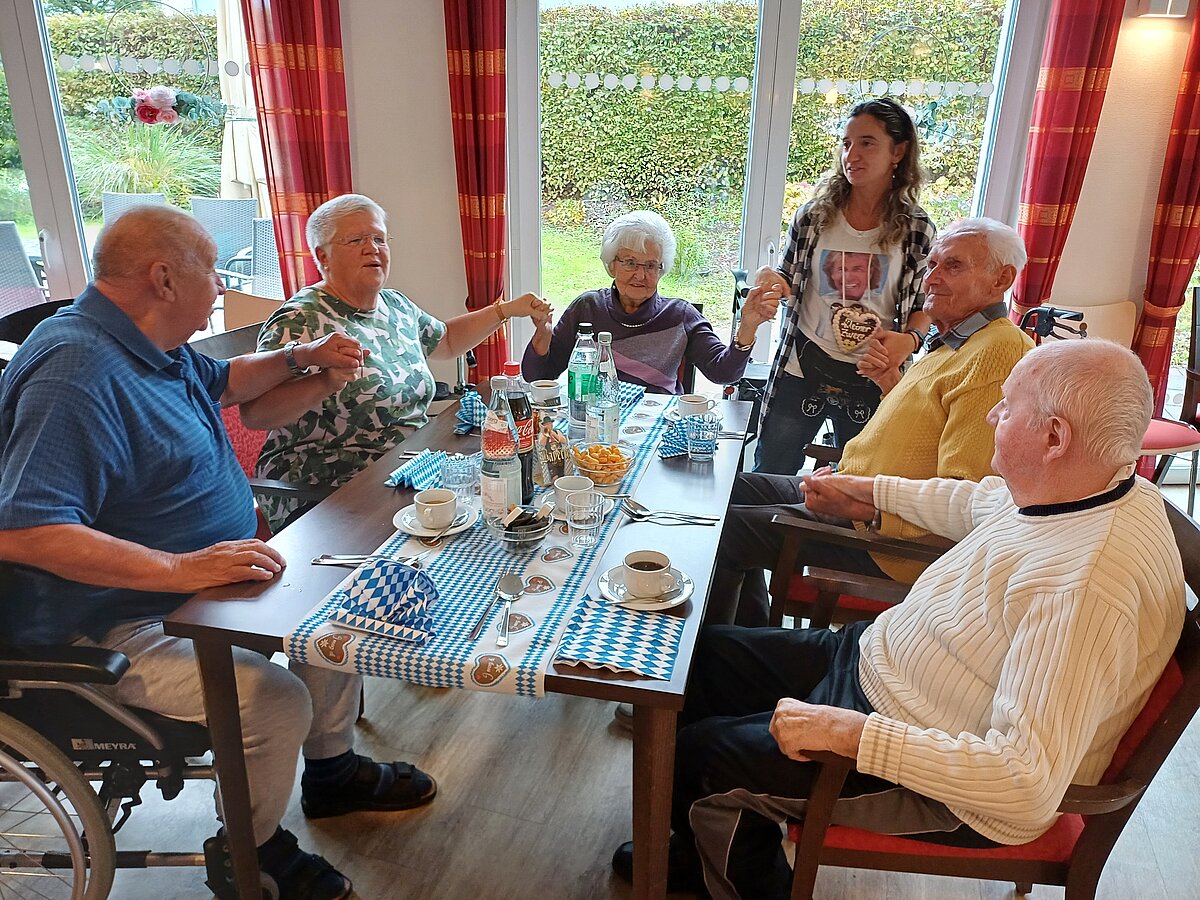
(1076, 65)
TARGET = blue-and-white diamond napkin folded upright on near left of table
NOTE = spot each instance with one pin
(392, 601)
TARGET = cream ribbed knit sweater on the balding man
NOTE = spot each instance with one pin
(1022, 657)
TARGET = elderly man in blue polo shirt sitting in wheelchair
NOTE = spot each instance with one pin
(121, 496)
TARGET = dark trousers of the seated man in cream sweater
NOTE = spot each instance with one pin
(724, 746)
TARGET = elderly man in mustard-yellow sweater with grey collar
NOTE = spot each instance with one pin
(931, 424)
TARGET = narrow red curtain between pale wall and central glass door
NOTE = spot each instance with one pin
(476, 35)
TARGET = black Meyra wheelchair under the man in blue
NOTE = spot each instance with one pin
(59, 736)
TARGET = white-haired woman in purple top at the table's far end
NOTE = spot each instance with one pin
(652, 335)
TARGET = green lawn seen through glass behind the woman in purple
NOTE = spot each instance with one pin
(571, 265)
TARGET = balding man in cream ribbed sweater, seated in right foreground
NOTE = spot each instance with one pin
(1012, 669)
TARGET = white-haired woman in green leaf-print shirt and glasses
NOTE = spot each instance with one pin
(340, 429)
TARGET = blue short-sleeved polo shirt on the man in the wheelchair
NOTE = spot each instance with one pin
(100, 428)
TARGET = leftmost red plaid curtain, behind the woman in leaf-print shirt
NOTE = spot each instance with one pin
(296, 63)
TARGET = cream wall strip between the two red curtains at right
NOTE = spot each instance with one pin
(1108, 249)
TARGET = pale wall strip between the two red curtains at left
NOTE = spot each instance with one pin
(401, 146)
